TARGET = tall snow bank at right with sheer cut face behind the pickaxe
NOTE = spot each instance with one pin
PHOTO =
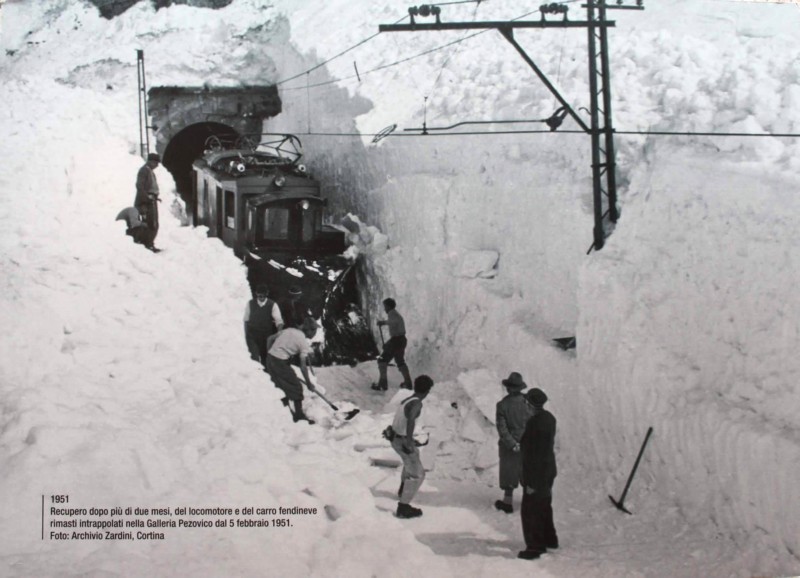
(694, 301)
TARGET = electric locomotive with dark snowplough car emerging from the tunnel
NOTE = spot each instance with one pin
(256, 196)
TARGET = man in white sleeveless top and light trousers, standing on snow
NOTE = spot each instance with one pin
(405, 420)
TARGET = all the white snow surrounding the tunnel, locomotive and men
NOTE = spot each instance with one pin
(125, 381)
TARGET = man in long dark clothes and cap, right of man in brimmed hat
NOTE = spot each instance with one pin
(538, 474)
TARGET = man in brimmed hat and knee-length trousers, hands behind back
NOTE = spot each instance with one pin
(512, 414)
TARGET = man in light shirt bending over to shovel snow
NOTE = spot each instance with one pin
(288, 343)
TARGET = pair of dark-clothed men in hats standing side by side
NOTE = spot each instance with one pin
(527, 457)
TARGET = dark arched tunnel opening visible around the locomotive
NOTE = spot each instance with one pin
(187, 146)
